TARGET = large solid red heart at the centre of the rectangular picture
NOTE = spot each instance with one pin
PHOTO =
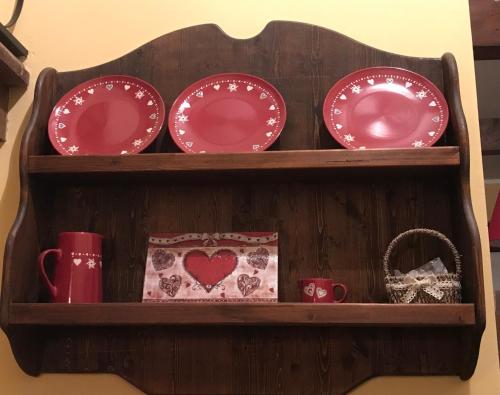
(209, 271)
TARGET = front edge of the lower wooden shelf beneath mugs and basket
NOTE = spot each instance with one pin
(347, 314)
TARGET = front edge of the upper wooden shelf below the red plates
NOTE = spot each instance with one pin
(270, 160)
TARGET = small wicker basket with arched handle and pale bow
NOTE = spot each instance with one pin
(444, 288)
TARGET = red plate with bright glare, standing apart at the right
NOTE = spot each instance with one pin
(385, 107)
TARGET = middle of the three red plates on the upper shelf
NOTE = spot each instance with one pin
(230, 112)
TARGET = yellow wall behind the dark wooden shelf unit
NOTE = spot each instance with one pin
(80, 33)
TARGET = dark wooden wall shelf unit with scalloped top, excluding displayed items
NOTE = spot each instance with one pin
(335, 211)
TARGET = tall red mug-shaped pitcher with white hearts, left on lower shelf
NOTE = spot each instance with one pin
(78, 270)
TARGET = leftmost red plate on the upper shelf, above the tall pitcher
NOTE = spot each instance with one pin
(110, 115)
